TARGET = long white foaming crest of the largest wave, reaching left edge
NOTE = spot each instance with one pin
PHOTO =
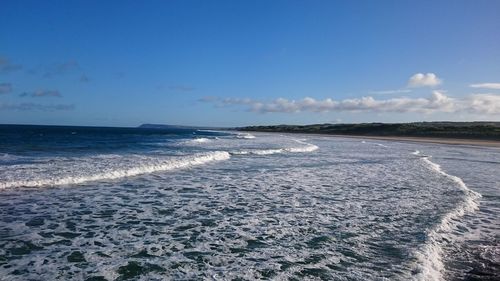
(154, 165)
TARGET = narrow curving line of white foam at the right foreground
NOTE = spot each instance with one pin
(430, 257)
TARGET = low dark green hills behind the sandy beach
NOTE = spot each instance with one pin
(462, 130)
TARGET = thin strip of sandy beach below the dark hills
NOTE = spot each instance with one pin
(449, 141)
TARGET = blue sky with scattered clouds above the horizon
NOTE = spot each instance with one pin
(248, 62)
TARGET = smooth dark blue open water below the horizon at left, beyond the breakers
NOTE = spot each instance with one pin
(67, 140)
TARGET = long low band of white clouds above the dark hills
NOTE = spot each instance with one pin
(437, 102)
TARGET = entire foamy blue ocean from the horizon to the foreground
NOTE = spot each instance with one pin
(134, 204)
